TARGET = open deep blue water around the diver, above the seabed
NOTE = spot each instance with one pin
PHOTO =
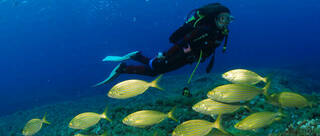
(51, 50)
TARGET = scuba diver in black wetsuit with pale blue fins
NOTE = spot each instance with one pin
(195, 40)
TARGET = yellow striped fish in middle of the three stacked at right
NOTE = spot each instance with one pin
(233, 93)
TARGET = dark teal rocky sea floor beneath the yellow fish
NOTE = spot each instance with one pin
(299, 122)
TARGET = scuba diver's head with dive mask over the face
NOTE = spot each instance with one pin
(223, 20)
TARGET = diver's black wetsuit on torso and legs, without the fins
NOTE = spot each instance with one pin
(206, 38)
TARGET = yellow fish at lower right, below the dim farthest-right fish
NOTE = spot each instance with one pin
(258, 120)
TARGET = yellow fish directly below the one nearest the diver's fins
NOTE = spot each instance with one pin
(146, 118)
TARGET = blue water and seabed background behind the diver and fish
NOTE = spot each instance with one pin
(51, 54)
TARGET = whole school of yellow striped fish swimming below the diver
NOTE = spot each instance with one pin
(224, 99)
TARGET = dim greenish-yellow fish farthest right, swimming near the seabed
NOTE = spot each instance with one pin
(289, 99)
